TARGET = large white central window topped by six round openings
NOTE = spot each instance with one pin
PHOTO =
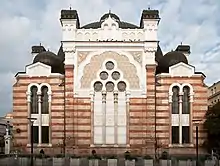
(110, 109)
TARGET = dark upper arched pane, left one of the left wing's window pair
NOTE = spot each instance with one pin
(34, 100)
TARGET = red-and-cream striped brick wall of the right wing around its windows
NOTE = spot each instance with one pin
(198, 109)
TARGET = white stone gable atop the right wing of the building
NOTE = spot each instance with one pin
(181, 70)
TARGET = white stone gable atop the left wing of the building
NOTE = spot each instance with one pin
(38, 69)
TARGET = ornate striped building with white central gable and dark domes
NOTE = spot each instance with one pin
(109, 88)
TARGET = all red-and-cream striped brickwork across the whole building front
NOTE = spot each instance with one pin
(75, 118)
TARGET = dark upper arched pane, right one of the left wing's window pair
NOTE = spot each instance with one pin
(44, 100)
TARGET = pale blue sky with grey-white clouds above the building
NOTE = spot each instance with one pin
(24, 23)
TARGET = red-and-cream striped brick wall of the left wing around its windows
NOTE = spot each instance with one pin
(20, 108)
